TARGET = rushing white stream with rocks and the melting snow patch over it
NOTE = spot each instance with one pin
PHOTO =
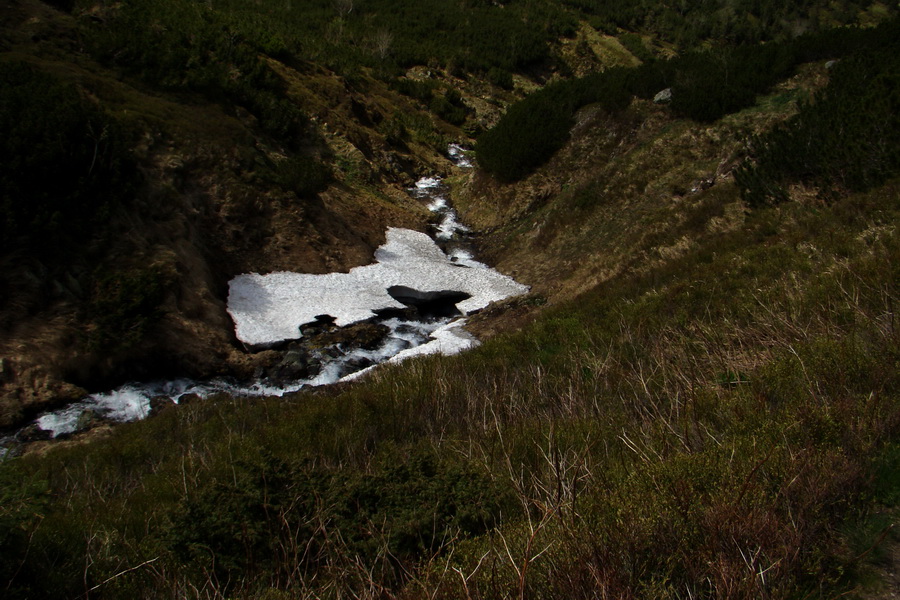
(313, 330)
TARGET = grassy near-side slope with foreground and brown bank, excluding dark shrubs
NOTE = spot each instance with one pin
(707, 408)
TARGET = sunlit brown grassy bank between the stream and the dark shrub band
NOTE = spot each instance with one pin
(626, 194)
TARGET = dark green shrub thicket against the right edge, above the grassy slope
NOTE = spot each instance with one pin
(846, 139)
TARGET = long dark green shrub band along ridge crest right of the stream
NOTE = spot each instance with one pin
(706, 85)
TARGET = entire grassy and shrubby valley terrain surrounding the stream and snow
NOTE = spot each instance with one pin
(699, 399)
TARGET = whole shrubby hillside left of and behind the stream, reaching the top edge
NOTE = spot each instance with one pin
(234, 138)
